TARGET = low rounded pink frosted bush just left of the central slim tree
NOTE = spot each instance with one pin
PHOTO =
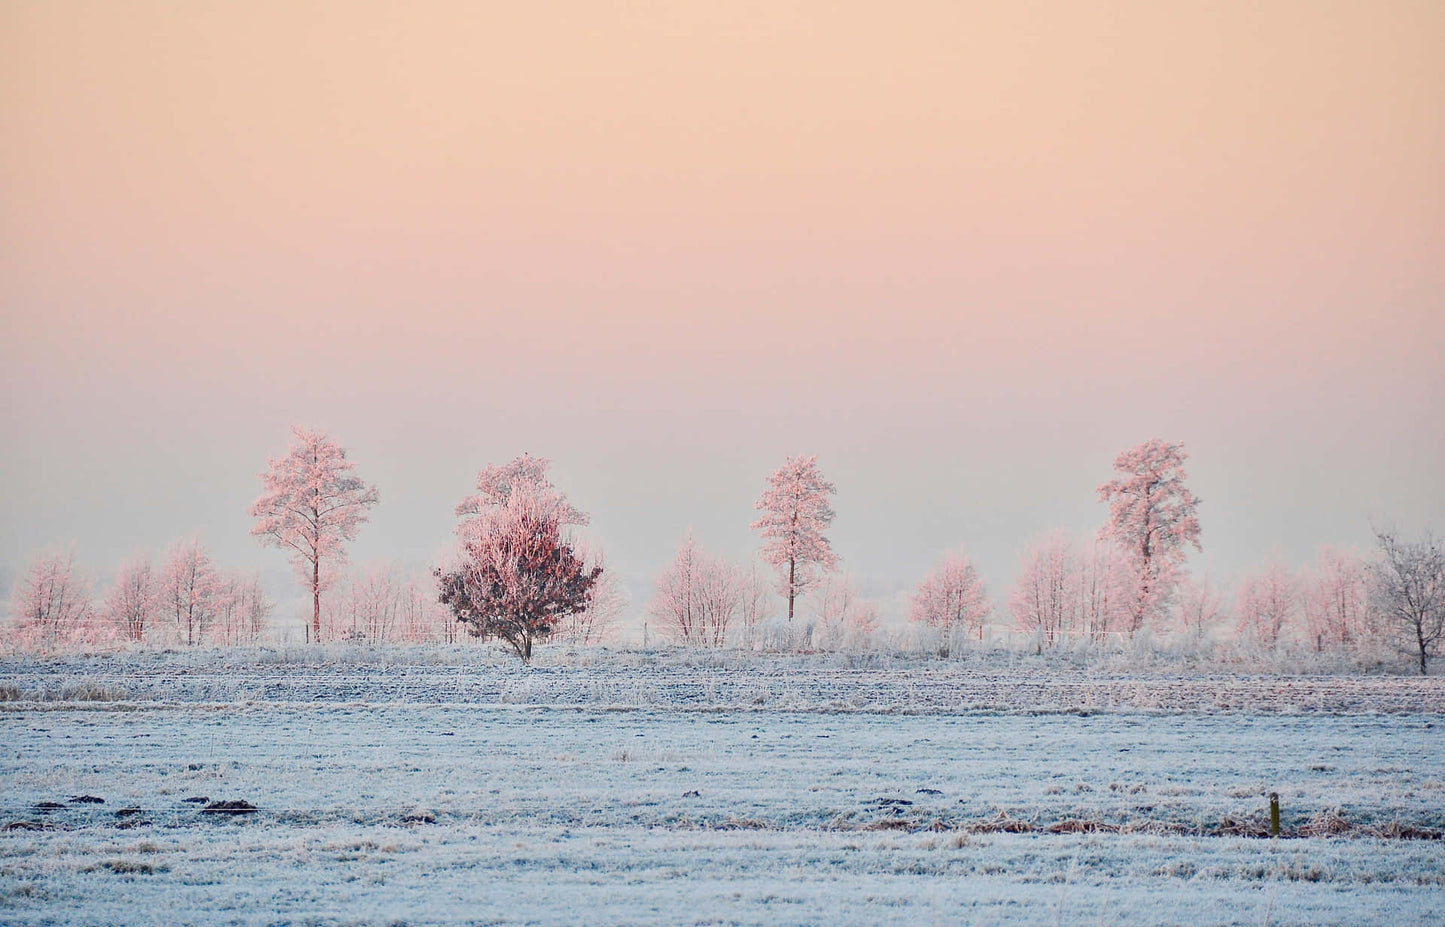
(697, 597)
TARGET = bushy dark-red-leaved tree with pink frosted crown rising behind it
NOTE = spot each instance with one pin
(519, 574)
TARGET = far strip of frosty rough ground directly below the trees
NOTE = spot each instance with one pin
(697, 681)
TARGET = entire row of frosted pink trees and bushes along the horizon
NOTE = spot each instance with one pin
(521, 575)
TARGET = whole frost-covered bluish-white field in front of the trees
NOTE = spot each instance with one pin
(452, 786)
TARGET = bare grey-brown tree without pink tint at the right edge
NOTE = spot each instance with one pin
(1408, 588)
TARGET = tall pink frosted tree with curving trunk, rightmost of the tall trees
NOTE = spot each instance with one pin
(1152, 516)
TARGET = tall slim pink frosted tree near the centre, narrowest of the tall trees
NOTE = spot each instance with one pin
(795, 515)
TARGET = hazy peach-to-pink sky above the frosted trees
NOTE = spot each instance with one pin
(965, 253)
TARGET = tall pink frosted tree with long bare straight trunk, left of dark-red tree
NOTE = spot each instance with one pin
(311, 506)
